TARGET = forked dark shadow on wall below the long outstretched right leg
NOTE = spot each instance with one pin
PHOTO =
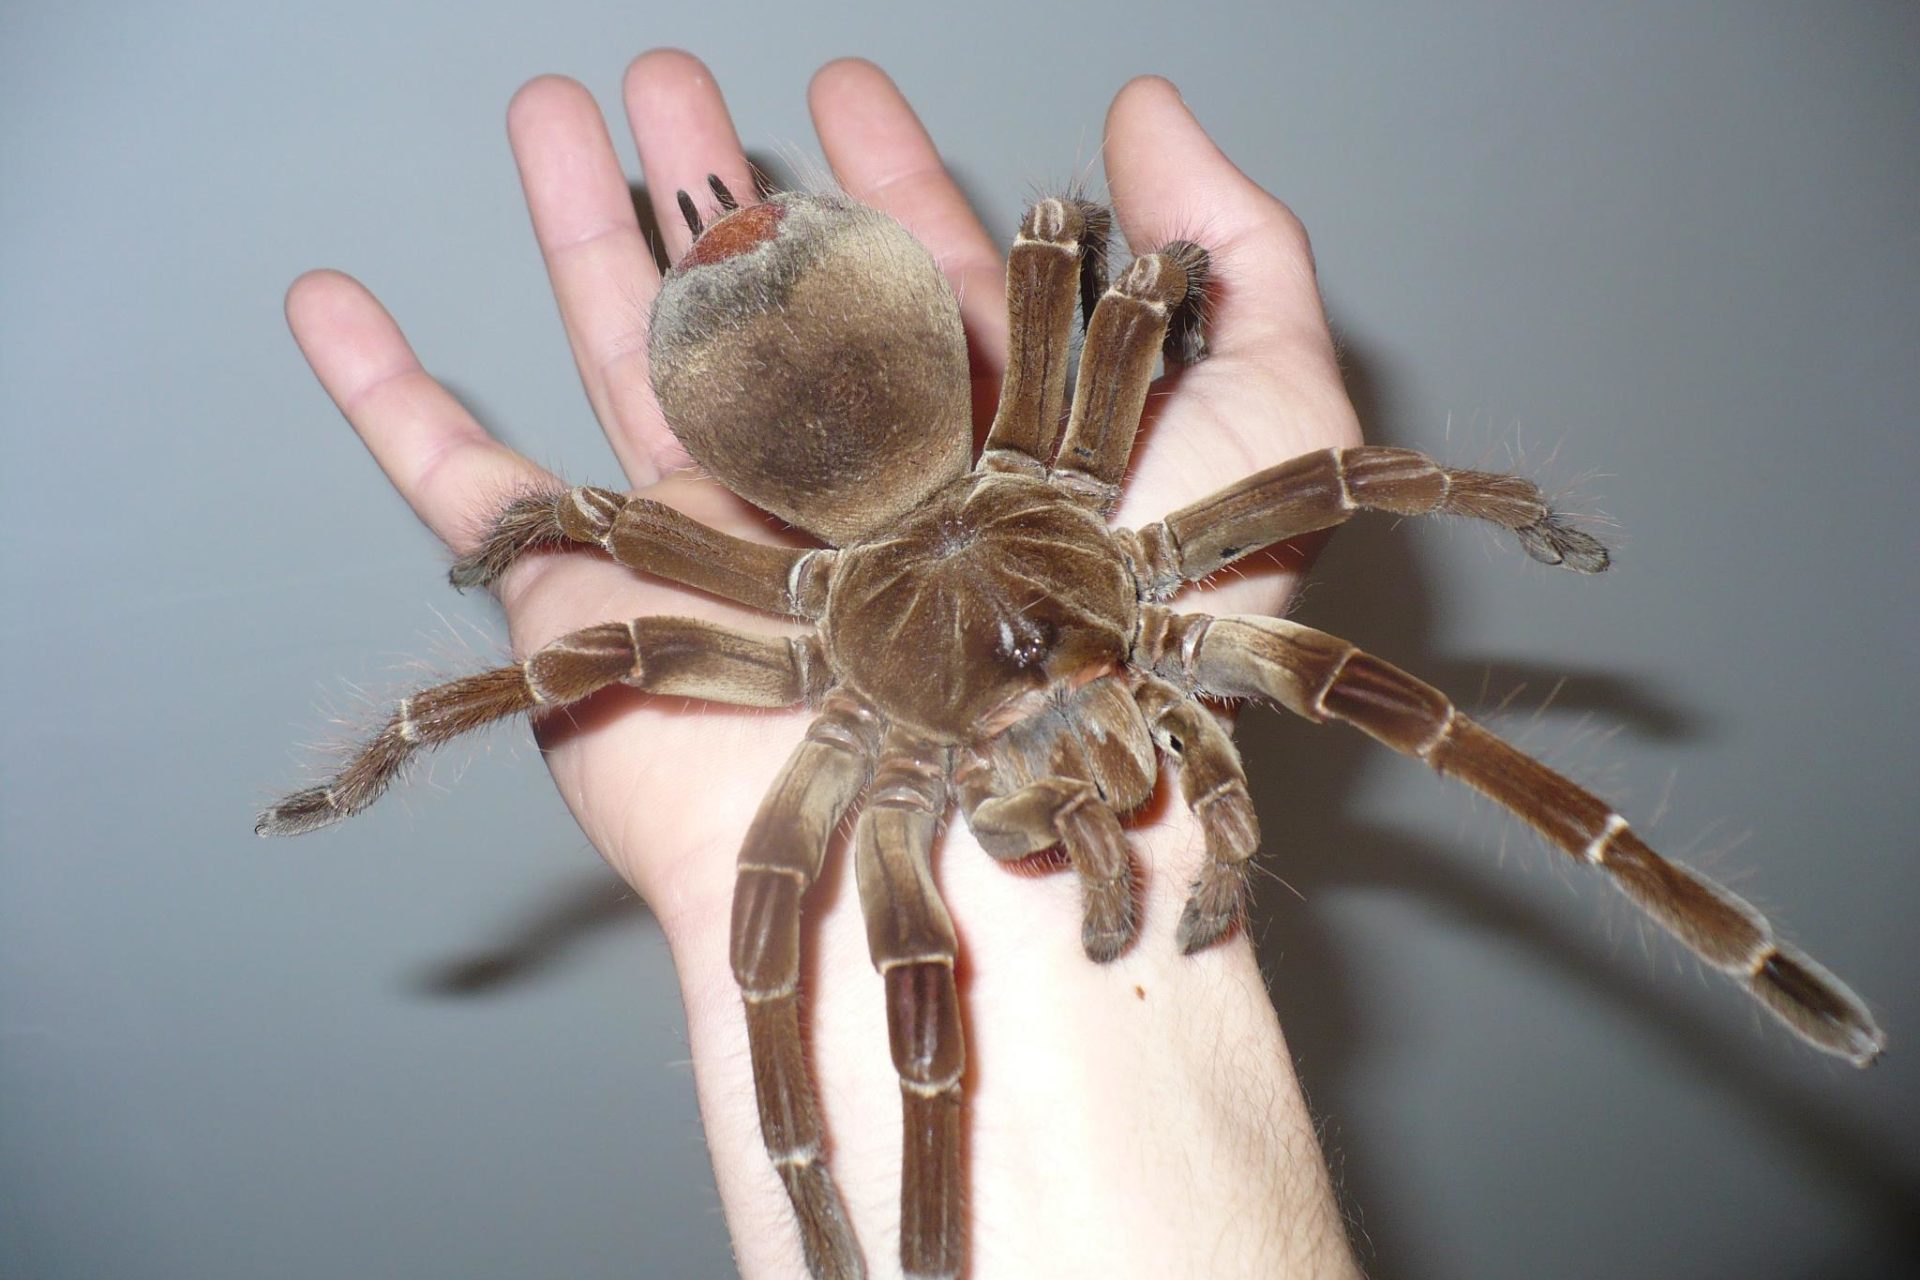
(1330, 849)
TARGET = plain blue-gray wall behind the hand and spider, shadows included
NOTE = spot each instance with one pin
(1669, 254)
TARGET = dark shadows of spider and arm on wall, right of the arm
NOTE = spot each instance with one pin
(1322, 845)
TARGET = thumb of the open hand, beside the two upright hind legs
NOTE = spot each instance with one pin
(1170, 181)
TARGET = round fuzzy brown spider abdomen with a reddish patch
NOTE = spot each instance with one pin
(809, 354)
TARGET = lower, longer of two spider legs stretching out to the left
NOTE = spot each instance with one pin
(661, 655)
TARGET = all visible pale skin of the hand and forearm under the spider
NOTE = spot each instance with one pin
(1138, 1118)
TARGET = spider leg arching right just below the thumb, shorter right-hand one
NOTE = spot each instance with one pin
(1326, 488)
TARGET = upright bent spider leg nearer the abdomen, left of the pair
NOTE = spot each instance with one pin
(1059, 256)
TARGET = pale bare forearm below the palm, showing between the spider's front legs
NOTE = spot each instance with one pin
(1128, 1120)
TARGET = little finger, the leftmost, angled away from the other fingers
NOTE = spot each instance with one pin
(444, 463)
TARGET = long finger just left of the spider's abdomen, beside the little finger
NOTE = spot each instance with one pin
(604, 277)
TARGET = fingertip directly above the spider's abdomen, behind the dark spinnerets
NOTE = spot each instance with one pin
(684, 135)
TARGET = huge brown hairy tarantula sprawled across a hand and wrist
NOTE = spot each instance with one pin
(984, 638)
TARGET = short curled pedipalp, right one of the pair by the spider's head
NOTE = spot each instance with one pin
(1214, 788)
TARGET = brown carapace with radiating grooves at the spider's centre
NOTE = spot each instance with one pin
(982, 604)
